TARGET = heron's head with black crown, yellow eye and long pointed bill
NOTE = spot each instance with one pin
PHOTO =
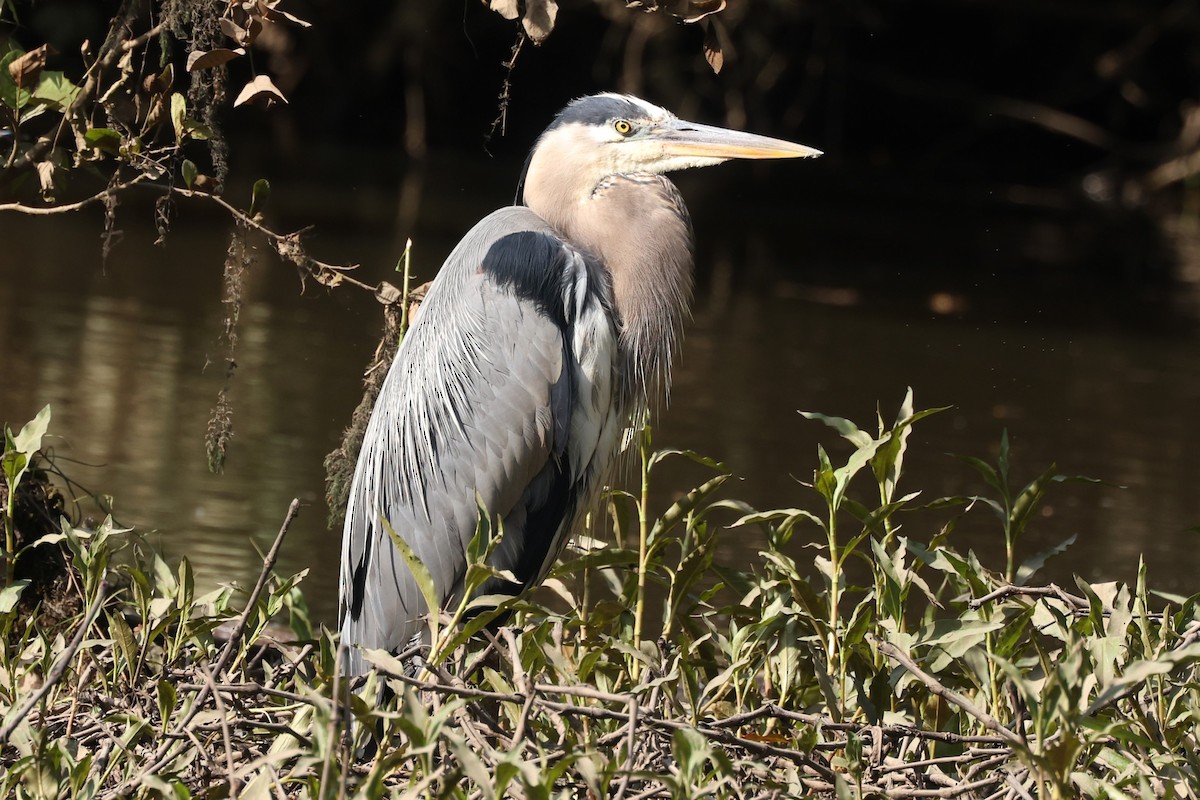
(609, 135)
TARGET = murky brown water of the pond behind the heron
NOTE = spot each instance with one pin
(1030, 321)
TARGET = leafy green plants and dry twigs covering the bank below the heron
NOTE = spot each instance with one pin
(932, 675)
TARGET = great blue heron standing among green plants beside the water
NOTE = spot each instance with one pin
(549, 324)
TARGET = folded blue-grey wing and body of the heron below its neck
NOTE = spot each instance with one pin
(502, 394)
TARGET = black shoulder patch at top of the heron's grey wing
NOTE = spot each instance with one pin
(533, 266)
